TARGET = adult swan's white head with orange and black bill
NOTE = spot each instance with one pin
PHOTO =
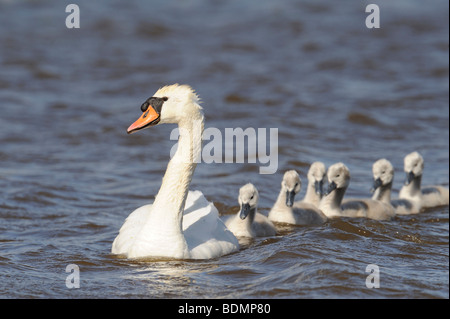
(170, 104)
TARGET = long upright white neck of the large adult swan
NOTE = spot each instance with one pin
(164, 222)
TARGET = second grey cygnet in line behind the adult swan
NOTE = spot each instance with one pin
(285, 211)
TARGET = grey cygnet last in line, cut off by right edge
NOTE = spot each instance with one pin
(430, 196)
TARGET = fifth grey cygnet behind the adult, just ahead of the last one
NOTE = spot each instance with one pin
(383, 177)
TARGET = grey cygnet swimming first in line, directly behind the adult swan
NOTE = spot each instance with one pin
(248, 222)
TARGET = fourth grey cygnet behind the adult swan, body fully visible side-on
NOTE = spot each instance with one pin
(333, 205)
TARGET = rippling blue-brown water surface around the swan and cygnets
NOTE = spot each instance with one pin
(336, 91)
